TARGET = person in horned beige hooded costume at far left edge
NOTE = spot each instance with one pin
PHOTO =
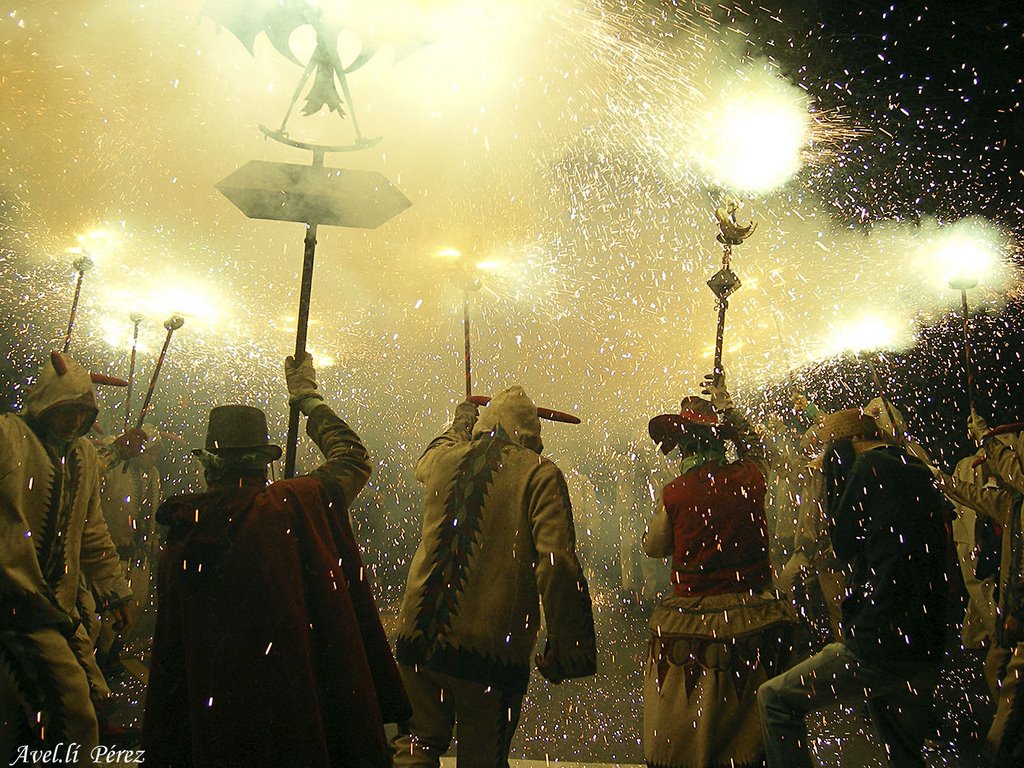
(54, 536)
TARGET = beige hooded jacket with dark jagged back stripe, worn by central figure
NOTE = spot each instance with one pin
(498, 533)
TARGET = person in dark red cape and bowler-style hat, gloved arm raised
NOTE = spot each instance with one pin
(269, 649)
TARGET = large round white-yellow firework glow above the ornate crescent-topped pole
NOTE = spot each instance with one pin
(754, 134)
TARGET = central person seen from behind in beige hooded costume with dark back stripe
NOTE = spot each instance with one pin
(498, 534)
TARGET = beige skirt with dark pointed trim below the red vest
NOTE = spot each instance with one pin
(707, 658)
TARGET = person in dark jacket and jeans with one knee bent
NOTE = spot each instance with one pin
(887, 523)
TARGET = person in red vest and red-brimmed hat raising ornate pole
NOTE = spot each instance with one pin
(723, 631)
